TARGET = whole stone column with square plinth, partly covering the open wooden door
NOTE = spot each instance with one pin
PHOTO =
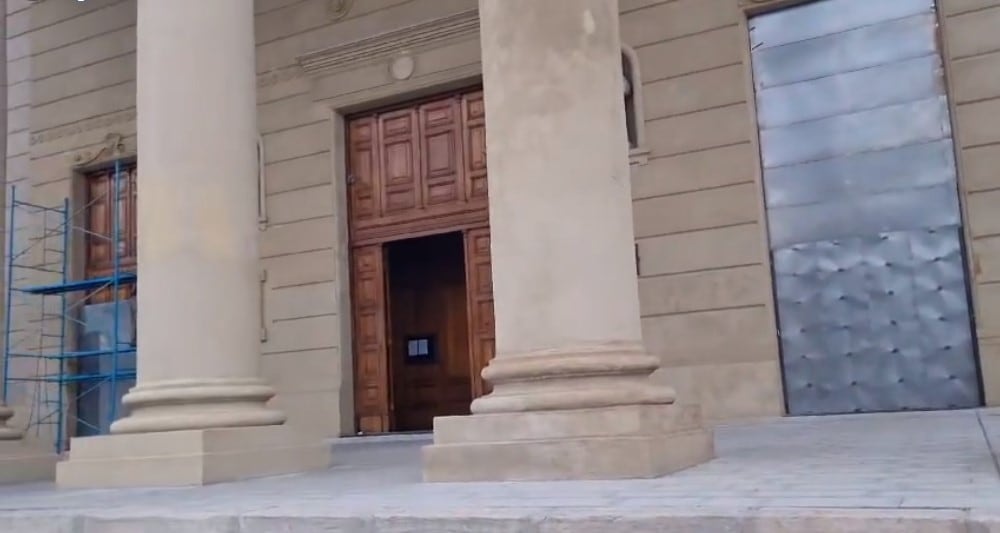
(572, 397)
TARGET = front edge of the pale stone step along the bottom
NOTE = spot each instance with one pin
(705, 520)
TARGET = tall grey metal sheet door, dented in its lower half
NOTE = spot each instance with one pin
(862, 206)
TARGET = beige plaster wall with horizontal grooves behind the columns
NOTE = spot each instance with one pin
(703, 264)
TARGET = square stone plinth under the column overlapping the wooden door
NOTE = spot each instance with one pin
(632, 441)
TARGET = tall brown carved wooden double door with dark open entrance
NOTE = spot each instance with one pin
(421, 279)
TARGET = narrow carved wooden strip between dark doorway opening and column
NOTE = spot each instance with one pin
(479, 287)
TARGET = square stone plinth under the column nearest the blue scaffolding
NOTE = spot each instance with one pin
(189, 457)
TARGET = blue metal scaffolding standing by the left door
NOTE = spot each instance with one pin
(46, 364)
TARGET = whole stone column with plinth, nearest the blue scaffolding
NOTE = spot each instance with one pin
(198, 412)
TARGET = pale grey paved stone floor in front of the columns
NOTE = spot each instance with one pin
(921, 472)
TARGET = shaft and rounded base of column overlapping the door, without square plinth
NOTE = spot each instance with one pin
(566, 295)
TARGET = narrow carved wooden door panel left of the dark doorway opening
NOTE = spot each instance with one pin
(372, 384)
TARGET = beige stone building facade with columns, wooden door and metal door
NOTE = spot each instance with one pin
(771, 147)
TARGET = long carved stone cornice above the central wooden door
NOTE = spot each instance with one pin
(379, 47)
